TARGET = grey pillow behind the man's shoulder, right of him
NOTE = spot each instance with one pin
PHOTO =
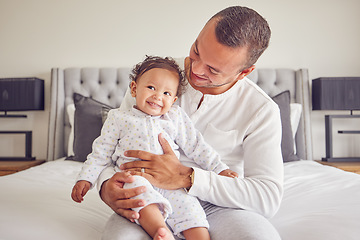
(287, 141)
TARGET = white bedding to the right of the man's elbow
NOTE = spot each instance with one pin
(320, 202)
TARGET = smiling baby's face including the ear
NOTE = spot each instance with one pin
(155, 91)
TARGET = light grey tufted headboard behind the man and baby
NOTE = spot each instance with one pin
(108, 85)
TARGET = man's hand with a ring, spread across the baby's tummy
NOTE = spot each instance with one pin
(163, 171)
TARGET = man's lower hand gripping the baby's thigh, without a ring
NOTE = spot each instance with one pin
(117, 198)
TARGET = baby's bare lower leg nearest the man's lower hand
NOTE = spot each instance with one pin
(152, 220)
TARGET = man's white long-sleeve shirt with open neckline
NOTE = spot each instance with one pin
(243, 124)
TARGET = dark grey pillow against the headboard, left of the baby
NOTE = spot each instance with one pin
(87, 125)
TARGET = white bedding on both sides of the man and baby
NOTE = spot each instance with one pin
(319, 202)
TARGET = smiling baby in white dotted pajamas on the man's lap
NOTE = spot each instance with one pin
(156, 84)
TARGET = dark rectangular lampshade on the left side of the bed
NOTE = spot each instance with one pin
(21, 94)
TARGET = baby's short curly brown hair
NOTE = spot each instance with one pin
(151, 62)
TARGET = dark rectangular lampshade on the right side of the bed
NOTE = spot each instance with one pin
(336, 93)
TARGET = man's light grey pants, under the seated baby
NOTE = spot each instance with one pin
(225, 224)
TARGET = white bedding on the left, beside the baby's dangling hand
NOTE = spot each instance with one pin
(36, 204)
